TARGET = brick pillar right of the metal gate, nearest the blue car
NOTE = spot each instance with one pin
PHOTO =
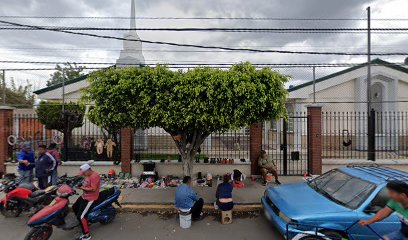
(314, 130)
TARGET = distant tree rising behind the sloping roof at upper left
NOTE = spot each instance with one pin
(66, 72)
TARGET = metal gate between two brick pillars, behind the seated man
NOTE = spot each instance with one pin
(286, 141)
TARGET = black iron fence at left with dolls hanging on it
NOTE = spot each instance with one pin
(87, 142)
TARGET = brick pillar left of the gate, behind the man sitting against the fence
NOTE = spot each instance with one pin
(255, 146)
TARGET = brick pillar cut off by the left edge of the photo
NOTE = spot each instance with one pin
(6, 129)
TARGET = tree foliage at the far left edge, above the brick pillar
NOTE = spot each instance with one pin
(17, 96)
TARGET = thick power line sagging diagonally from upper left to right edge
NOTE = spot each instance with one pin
(204, 47)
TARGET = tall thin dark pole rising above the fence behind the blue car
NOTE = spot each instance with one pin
(370, 113)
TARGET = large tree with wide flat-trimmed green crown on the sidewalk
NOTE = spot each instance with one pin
(188, 105)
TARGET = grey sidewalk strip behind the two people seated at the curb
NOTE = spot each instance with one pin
(249, 195)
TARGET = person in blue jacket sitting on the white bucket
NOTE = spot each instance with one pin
(187, 201)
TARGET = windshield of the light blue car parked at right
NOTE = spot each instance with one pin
(342, 188)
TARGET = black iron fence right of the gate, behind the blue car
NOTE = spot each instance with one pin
(346, 136)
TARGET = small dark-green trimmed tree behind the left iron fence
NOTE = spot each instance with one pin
(55, 117)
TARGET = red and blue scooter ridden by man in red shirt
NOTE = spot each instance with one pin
(57, 213)
